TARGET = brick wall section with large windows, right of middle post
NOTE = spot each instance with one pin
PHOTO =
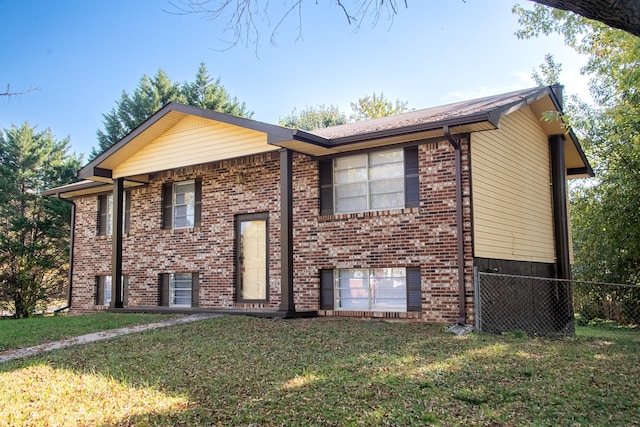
(424, 237)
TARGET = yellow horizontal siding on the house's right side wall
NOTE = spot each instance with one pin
(512, 212)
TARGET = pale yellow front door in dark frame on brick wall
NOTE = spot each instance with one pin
(251, 257)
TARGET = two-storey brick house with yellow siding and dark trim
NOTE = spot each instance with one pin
(198, 210)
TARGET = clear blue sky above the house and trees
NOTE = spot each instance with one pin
(82, 54)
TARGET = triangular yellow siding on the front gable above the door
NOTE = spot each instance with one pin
(193, 140)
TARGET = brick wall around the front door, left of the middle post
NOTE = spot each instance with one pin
(148, 250)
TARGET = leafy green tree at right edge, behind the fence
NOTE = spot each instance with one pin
(605, 213)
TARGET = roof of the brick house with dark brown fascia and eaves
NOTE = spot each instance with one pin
(459, 118)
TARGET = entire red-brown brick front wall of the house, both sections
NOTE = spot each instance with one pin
(424, 236)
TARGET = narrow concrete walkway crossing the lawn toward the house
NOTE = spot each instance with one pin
(5, 356)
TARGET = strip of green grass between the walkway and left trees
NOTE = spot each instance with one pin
(37, 330)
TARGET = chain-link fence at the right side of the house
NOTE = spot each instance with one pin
(550, 307)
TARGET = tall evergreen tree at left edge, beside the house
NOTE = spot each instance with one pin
(34, 230)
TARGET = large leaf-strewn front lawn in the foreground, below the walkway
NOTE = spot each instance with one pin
(246, 371)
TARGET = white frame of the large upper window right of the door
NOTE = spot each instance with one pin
(369, 181)
